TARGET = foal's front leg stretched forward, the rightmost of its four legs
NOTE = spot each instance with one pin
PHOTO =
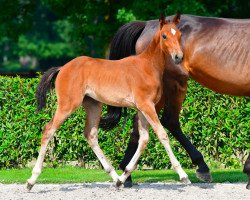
(148, 110)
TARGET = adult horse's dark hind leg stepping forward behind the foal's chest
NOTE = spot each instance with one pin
(175, 95)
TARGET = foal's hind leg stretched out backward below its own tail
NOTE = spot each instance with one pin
(48, 132)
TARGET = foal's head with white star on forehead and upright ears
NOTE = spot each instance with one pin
(170, 38)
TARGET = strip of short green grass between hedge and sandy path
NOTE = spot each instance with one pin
(80, 175)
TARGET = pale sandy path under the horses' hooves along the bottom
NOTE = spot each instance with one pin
(106, 191)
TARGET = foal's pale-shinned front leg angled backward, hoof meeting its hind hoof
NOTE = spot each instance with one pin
(143, 126)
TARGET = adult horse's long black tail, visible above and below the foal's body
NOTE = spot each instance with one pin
(122, 45)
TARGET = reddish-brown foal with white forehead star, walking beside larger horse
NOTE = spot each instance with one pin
(88, 81)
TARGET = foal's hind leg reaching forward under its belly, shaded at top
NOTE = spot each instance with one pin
(93, 111)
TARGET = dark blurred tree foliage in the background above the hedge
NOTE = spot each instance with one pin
(45, 33)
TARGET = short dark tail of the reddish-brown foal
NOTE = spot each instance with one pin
(44, 86)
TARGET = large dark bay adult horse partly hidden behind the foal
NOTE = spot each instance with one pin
(217, 55)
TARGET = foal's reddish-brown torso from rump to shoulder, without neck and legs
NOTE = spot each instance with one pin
(114, 82)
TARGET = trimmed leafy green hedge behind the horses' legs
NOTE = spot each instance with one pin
(217, 125)
